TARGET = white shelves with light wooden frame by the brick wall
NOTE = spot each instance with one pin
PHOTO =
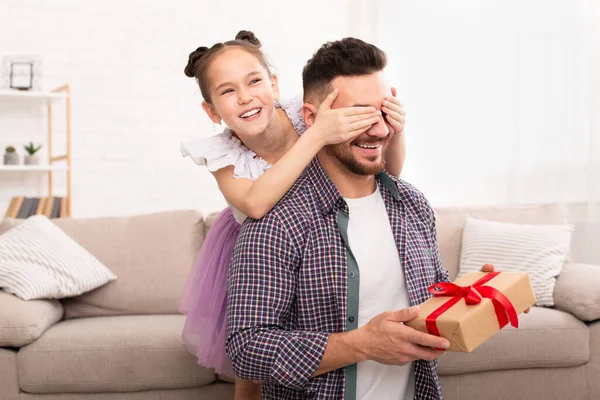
(56, 163)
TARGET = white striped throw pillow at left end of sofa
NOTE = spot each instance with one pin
(39, 261)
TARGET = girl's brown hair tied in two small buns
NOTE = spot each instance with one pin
(200, 59)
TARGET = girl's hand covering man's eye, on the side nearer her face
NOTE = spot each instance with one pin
(338, 125)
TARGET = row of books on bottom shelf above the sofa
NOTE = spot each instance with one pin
(24, 207)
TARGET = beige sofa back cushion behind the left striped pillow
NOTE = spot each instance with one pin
(151, 254)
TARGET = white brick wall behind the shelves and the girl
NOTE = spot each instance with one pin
(131, 103)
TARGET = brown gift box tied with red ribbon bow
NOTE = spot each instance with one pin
(474, 307)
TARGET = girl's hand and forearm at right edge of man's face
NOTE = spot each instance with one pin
(396, 118)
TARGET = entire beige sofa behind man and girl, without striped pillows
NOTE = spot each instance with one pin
(122, 341)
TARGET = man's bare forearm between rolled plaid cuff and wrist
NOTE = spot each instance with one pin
(342, 350)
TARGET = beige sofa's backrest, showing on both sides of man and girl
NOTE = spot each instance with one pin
(153, 254)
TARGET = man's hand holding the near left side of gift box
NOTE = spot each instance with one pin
(386, 340)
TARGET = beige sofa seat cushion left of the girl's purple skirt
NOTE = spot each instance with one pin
(111, 354)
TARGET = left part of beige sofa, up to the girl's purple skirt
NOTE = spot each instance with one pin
(121, 341)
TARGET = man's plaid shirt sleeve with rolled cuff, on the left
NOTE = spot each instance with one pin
(261, 294)
